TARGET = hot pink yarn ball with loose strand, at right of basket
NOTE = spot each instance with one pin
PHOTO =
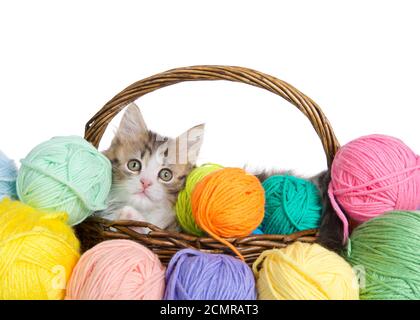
(372, 175)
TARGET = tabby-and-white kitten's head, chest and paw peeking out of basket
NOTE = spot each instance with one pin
(149, 170)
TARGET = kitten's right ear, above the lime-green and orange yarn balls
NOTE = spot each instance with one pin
(190, 144)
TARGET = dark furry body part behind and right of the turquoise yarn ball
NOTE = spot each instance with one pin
(330, 233)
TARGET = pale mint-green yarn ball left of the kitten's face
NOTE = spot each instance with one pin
(65, 174)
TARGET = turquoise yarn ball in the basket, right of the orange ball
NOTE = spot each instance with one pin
(291, 204)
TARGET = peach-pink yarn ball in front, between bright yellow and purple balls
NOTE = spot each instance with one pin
(117, 270)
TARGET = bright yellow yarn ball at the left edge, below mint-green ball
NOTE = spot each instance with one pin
(38, 251)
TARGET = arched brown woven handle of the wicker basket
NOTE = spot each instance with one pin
(96, 126)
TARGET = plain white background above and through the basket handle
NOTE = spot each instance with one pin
(60, 61)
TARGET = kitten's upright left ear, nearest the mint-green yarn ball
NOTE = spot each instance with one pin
(132, 123)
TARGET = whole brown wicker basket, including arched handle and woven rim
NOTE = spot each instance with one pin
(165, 244)
